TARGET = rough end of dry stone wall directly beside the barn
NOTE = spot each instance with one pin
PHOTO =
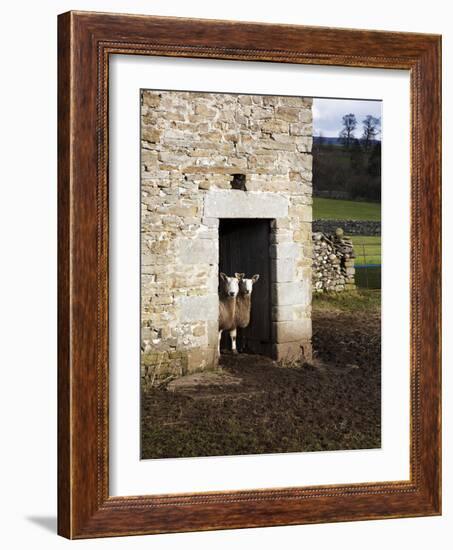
(333, 262)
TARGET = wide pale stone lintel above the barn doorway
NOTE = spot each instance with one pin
(239, 204)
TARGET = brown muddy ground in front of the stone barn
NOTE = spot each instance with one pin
(256, 406)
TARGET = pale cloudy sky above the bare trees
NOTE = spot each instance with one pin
(328, 114)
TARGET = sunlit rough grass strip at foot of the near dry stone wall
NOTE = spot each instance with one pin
(362, 300)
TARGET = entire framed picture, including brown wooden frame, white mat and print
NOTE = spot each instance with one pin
(219, 250)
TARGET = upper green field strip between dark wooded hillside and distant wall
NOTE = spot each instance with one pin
(335, 209)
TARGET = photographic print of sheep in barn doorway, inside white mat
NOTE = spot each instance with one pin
(260, 274)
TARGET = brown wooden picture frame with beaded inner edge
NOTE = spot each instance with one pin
(85, 41)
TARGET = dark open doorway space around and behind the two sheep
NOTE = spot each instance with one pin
(244, 248)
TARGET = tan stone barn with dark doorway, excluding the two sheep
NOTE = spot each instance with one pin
(226, 186)
